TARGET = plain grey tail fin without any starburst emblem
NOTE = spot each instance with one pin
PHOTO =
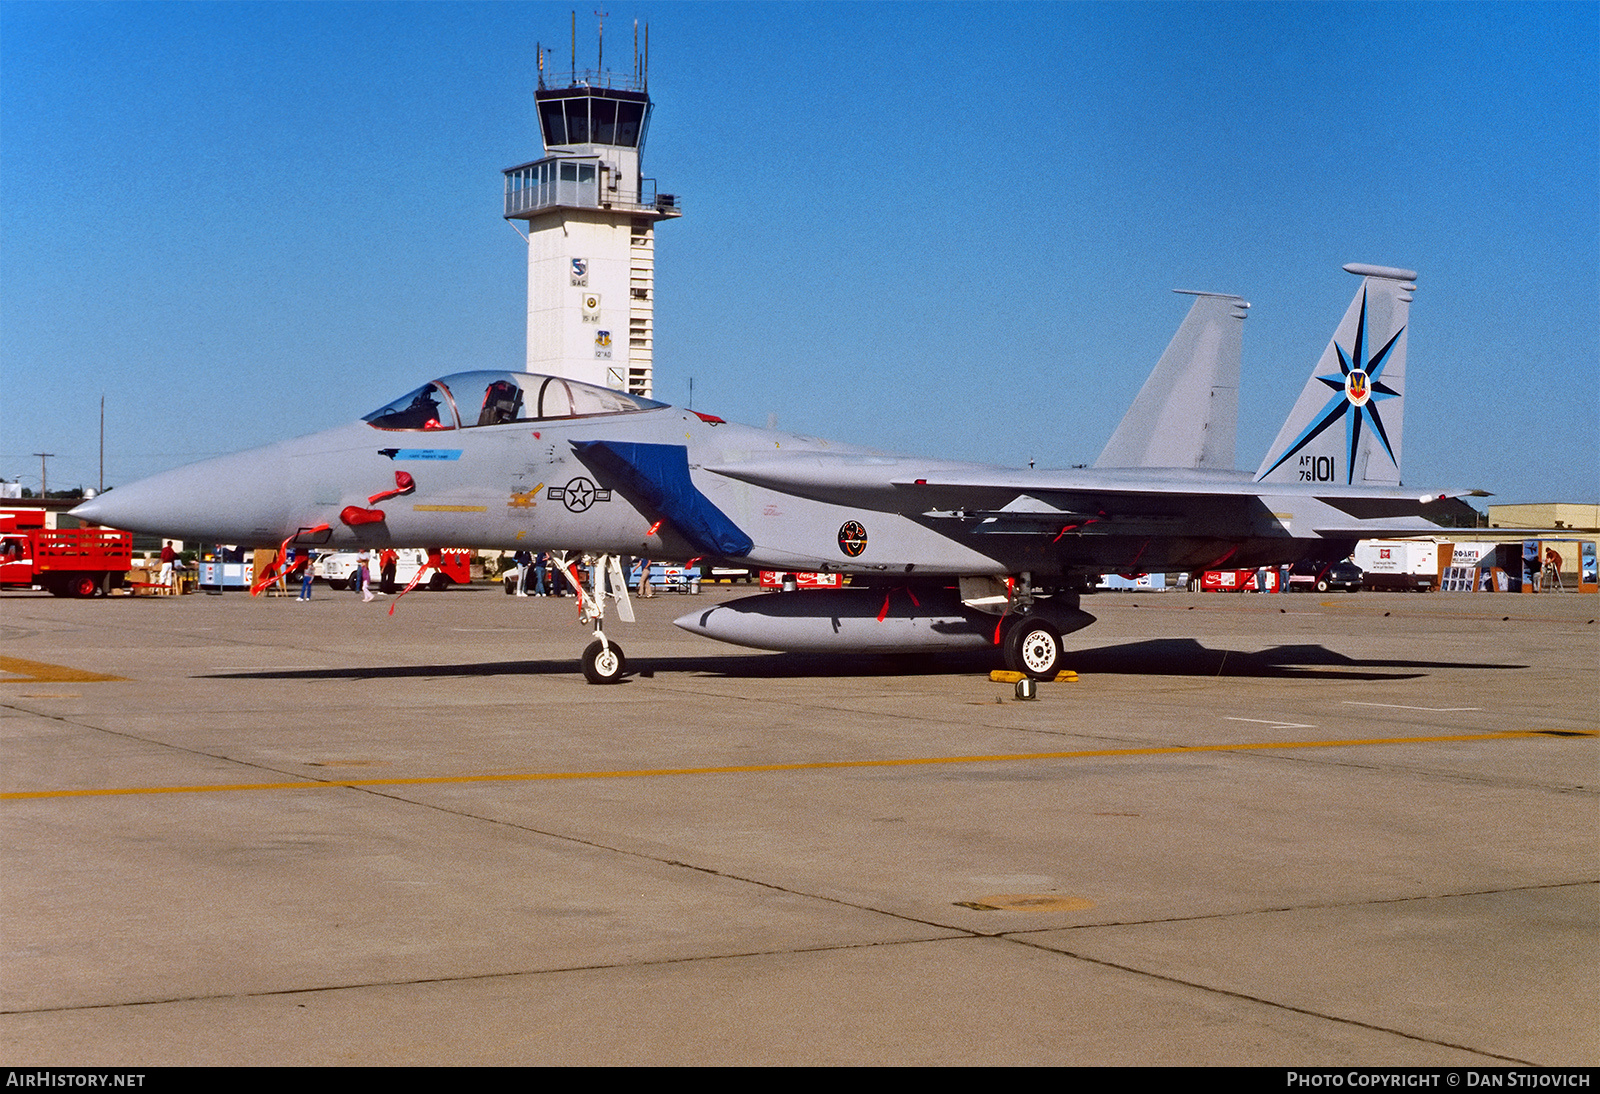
(1188, 412)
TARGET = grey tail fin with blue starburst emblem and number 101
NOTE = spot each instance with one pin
(1346, 426)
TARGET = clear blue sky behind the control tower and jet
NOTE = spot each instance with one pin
(945, 230)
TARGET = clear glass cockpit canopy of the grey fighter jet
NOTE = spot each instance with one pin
(468, 401)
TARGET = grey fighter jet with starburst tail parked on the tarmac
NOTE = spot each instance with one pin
(942, 554)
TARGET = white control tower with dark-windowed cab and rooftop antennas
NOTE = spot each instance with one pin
(591, 226)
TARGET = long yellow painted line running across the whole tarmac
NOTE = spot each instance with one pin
(814, 765)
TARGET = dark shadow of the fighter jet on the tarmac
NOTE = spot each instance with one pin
(1153, 658)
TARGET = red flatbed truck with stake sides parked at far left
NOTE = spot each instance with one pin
(68, 562)
